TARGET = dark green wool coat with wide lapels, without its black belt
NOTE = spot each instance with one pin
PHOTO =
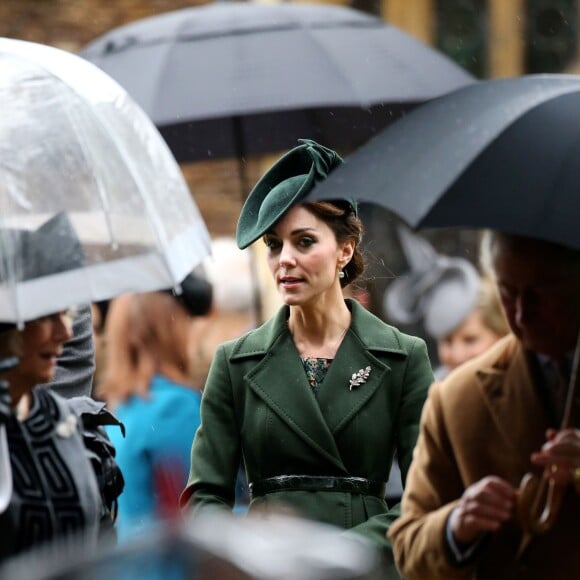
(257, 404)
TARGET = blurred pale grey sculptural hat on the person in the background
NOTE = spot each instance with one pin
(439, 290)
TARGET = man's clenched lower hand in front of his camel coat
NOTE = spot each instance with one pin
(483, 507)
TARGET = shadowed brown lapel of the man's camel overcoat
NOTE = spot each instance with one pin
(511, 396)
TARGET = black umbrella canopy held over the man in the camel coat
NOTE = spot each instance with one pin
(499, 154)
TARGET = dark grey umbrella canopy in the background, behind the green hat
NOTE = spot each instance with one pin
(229, 79)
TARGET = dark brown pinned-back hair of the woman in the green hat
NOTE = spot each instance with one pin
(346, 225)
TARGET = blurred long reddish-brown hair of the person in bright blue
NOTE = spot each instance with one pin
(144, 334)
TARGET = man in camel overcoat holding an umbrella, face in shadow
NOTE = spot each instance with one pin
(489, 423)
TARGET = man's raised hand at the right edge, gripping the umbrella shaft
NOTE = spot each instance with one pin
(560, 456)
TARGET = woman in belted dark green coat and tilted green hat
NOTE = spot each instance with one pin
(317, 400)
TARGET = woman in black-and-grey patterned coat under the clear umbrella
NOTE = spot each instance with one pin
(61, 470)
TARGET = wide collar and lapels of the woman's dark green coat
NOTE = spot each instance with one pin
(278, 378)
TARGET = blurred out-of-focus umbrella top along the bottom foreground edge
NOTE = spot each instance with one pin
(214, 545)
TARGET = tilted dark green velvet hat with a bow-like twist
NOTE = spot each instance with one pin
(286, 183)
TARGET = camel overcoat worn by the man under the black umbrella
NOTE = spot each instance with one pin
(486, 418)
